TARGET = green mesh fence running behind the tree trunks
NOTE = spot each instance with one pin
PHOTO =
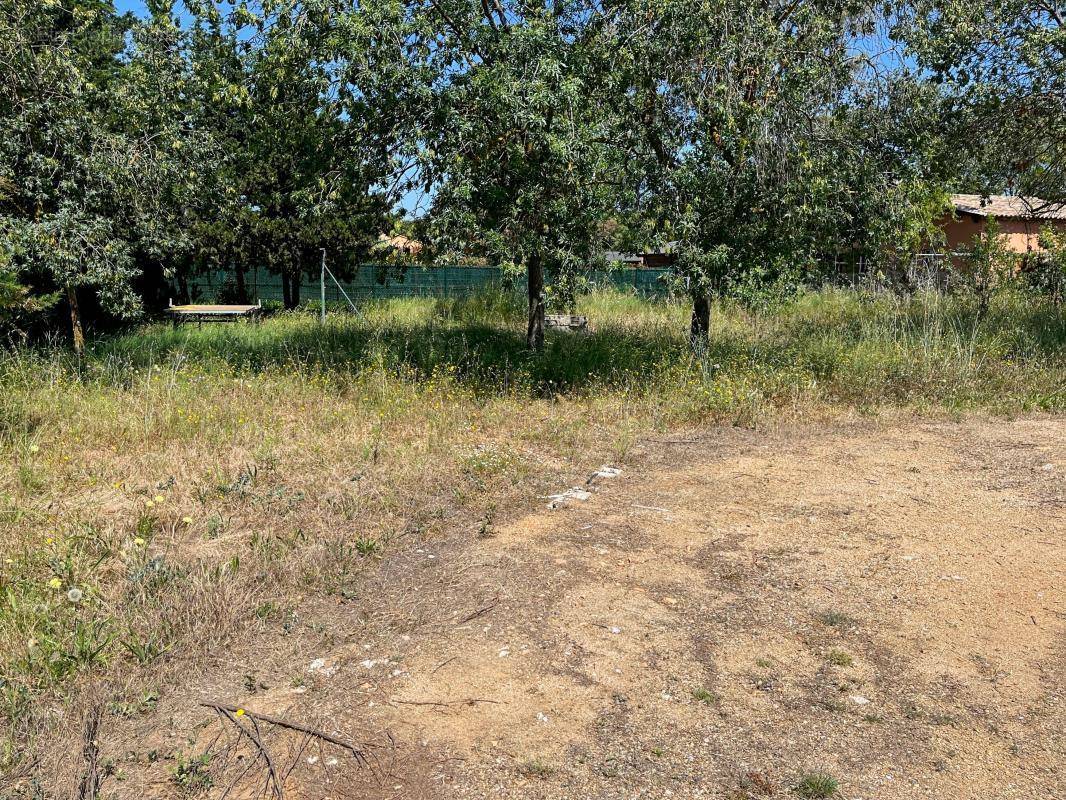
(373, 282)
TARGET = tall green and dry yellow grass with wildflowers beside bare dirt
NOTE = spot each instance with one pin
(185, 481)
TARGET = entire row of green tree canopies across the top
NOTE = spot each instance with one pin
(750, 139)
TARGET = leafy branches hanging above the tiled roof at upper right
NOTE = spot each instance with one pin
(1002, 69)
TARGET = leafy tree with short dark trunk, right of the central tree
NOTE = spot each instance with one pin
(741, 121)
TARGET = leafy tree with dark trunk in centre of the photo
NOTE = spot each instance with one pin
(518, 153)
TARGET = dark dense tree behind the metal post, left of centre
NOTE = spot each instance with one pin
(305, 103)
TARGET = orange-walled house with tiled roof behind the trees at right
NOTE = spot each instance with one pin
(1021, 220)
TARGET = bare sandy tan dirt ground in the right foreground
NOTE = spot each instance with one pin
(881, 602)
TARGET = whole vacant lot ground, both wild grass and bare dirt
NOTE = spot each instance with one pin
(343, 537)
